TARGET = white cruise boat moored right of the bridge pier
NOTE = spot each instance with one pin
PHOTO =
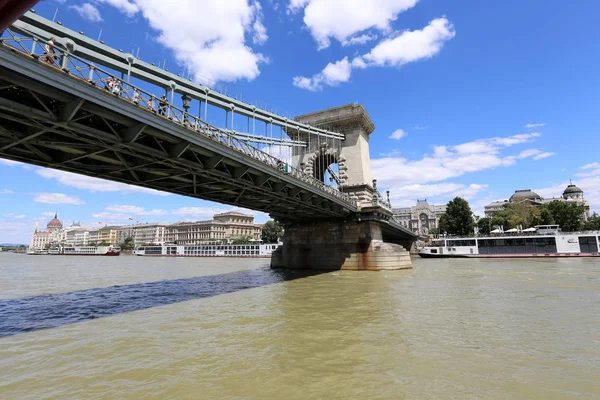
(543, 241)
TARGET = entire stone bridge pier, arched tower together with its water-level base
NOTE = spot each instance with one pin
(369, 240)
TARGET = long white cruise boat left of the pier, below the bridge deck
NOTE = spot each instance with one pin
(222, 250)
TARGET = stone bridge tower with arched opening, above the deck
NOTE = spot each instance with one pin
(351, 154)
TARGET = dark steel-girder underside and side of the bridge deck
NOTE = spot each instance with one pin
(51, 119)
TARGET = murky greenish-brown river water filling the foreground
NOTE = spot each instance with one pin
(153, 328)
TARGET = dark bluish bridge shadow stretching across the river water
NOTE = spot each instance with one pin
(29, 314)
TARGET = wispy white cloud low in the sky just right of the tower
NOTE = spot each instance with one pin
(447, 161)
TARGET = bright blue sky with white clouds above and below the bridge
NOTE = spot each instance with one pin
(469, 98)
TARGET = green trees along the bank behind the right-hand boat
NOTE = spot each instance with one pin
(459, 219)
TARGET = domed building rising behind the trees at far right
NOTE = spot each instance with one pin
(571, 194)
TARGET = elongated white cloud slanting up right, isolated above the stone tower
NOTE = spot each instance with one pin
(409, 46)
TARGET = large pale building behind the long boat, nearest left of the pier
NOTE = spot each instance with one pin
(222, 228)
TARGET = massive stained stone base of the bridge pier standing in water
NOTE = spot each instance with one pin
(339, 245)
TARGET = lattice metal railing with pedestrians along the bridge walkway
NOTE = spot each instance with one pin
(57, 55)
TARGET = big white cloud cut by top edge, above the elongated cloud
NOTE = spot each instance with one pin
(342, 19)
